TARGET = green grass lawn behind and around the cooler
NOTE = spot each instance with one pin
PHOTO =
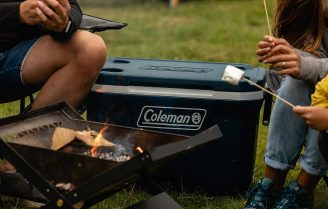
(204, 30)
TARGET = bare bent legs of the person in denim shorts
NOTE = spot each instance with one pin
(67, 70)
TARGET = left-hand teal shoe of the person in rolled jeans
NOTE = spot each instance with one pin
(261, 196)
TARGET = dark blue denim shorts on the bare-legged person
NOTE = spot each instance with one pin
(11, 61)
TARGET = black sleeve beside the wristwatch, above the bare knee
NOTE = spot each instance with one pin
(75, 17)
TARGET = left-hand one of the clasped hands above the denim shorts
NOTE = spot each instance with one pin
(28, 13)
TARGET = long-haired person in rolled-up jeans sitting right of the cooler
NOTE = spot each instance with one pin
(297, 55)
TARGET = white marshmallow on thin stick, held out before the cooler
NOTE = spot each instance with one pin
(233, 75)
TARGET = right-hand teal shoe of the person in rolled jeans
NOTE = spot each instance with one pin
(294, 197)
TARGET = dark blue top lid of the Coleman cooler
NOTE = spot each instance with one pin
(176, 74)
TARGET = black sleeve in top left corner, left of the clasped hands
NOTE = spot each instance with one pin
(9, 18)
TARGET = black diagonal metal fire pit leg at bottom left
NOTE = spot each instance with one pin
(56, 200)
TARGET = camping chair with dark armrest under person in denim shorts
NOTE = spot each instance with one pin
(90, 23)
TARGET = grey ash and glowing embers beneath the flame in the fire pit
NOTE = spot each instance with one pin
(117, 153)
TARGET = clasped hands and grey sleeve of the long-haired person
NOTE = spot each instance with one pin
(286, 60)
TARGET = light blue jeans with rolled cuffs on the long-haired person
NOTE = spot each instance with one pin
(288, 134)
